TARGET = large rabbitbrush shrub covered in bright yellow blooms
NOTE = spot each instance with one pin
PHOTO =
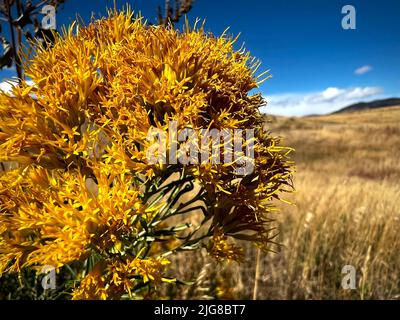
(85, 199)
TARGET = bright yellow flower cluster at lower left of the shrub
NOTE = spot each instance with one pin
(52, 217)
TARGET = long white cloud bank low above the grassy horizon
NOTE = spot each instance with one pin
(320, 102)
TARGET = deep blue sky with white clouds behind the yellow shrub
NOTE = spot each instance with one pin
(317, 66)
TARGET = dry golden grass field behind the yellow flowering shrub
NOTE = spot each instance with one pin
(346, 212)
